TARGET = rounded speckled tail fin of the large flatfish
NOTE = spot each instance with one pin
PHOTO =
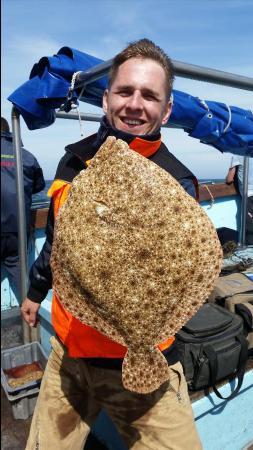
(144, 372)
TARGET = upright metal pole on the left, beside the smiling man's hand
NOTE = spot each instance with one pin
(22, 240)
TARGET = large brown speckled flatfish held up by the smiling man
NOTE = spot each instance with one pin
(134, 256)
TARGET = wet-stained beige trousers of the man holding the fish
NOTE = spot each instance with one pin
(73, 392)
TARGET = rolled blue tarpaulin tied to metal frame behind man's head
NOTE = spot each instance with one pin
(227, 128)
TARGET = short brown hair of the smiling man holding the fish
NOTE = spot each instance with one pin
(144, 49)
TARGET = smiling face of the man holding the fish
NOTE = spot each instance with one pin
(136, 102)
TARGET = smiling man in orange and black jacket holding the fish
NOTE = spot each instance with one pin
(83, 373)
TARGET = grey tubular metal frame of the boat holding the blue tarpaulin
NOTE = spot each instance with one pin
(83, 78)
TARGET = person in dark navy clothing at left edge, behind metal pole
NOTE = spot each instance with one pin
(33, 183)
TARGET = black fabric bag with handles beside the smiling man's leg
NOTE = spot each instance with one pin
(211, 347)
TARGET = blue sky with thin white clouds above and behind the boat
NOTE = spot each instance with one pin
(211, 33)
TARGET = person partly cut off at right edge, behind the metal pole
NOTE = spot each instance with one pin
(235, 174)
